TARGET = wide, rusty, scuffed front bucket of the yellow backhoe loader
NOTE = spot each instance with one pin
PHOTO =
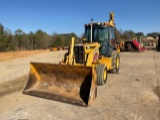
(64, 83)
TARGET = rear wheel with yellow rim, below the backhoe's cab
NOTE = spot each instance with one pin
(116, 63)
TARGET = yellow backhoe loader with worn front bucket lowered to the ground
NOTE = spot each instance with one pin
(83, 67)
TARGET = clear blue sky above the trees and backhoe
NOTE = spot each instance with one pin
(65, 16)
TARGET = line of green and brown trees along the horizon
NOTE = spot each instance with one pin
(19, 40)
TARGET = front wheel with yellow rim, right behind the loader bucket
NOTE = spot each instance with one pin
(101, 69)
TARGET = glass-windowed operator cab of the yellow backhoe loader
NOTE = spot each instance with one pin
(103, 34)
